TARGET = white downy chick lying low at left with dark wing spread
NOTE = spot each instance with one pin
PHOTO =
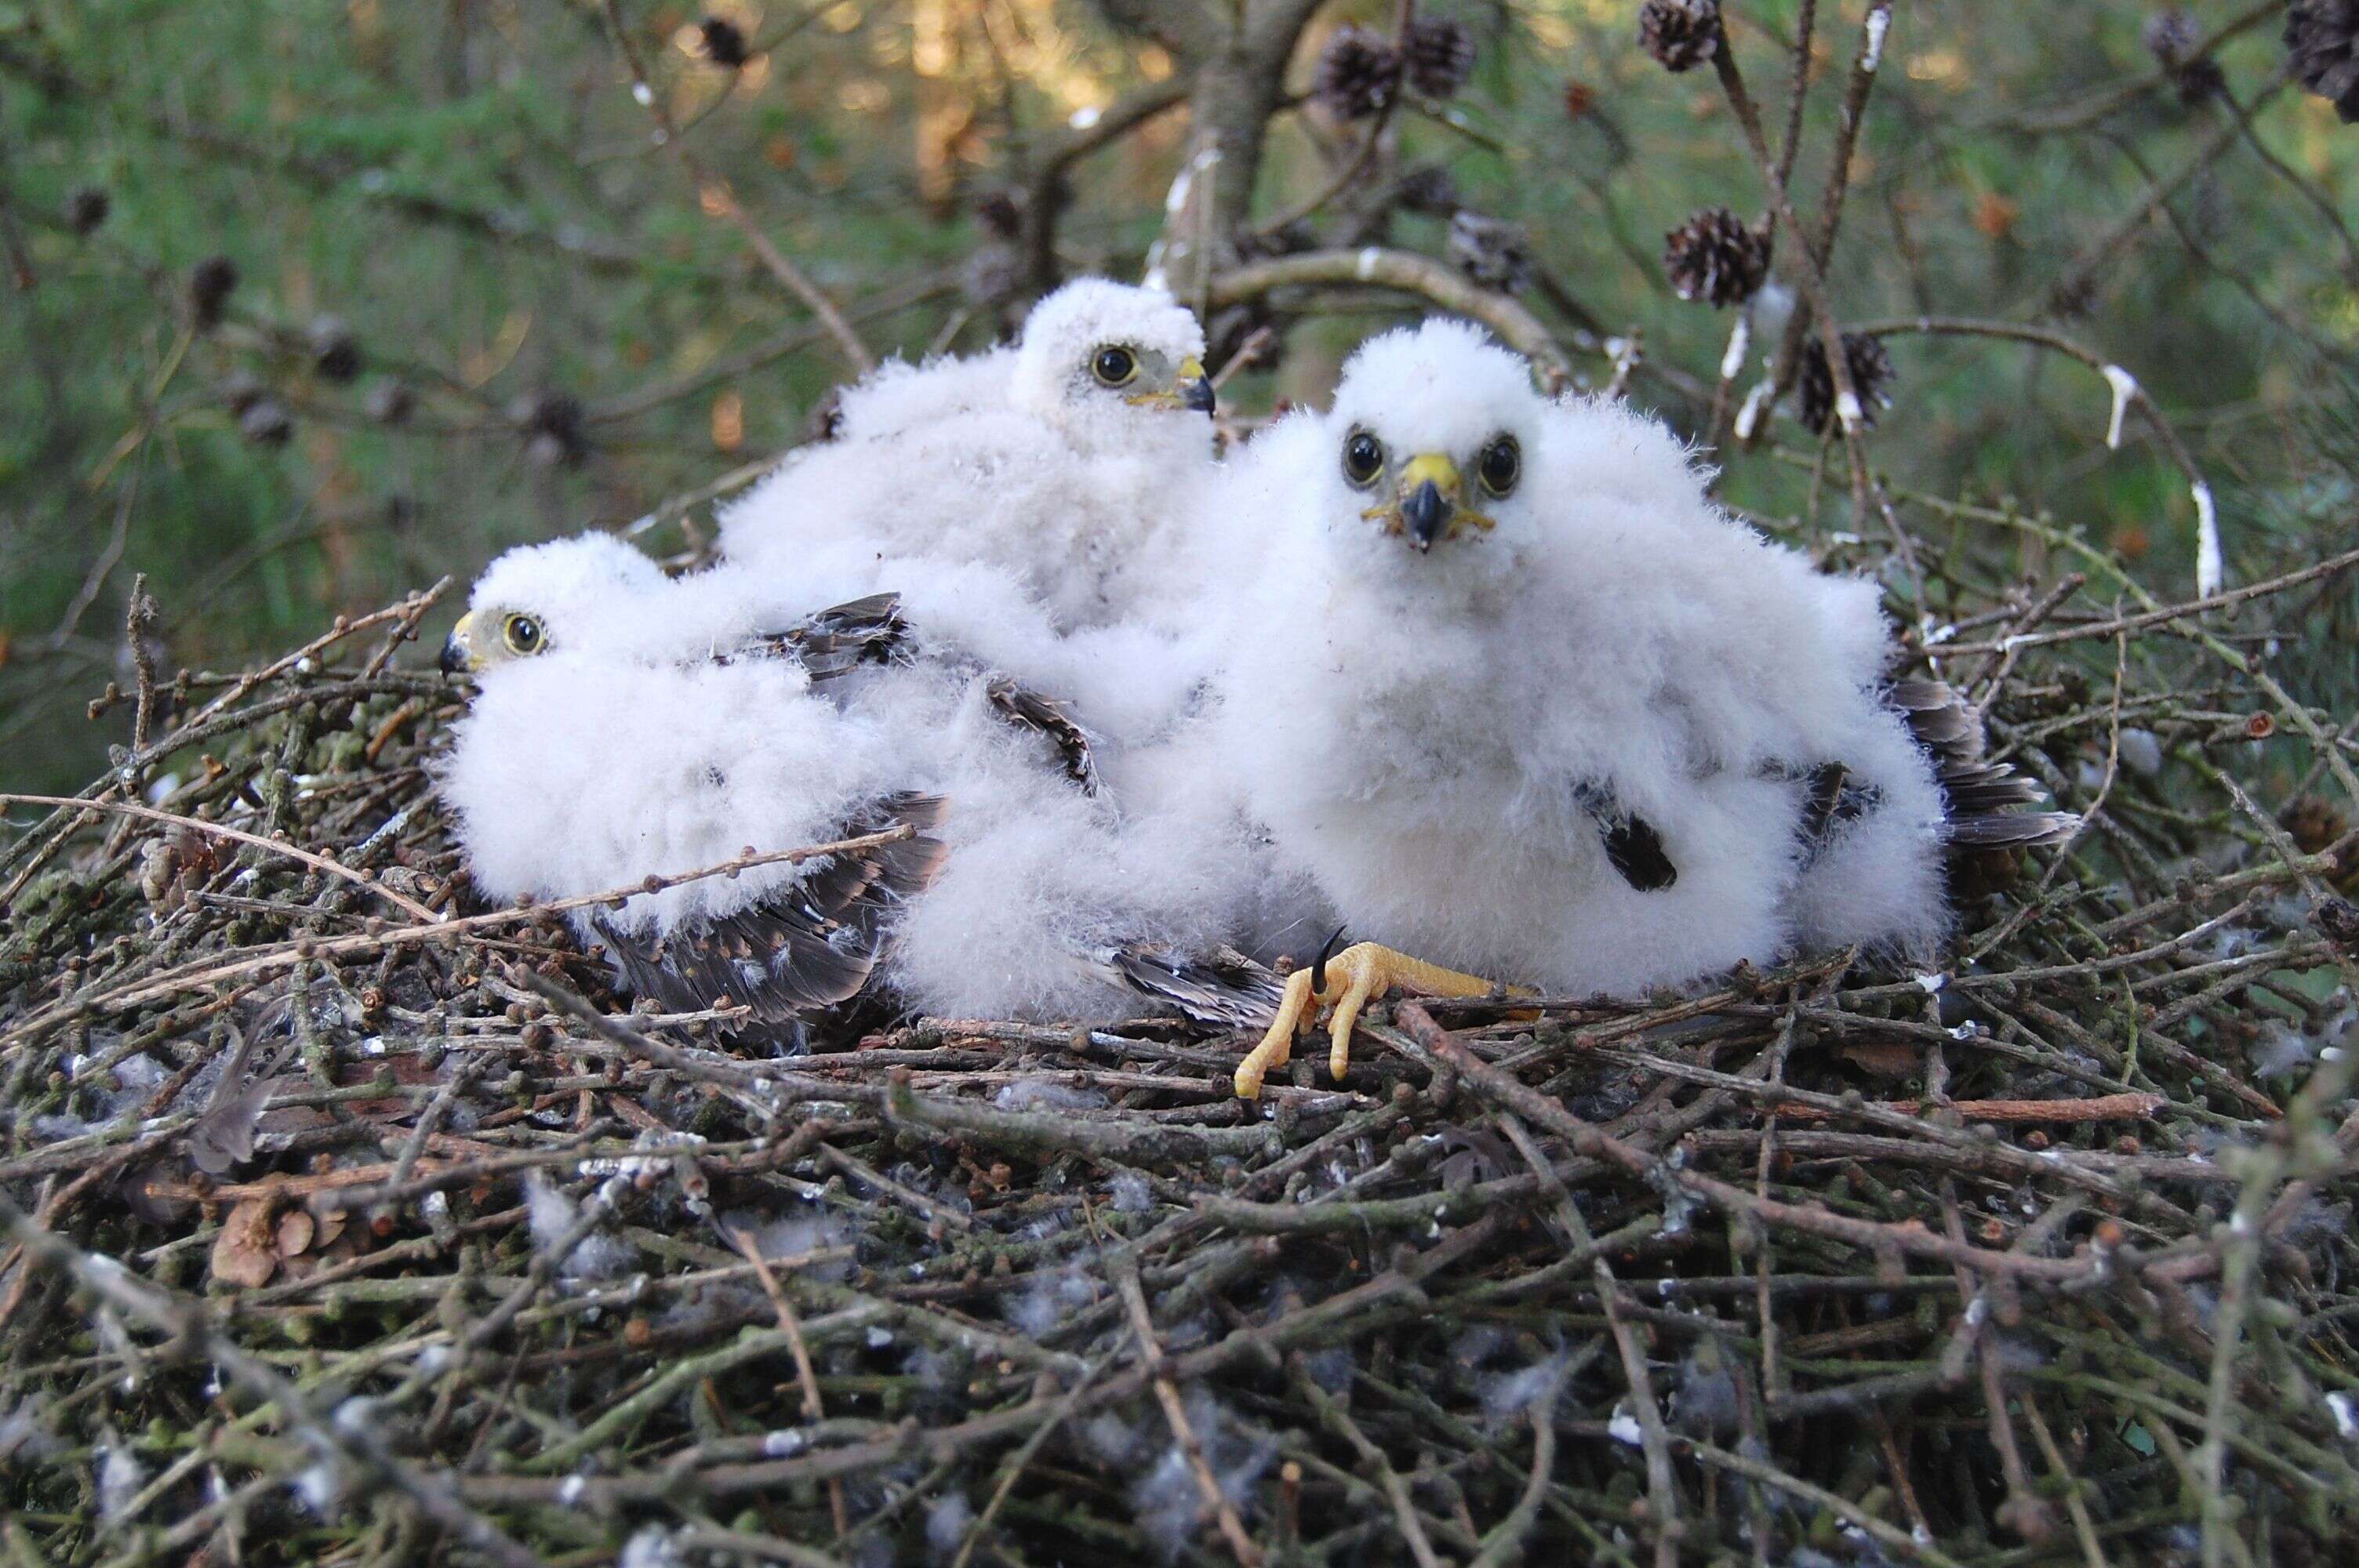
(633, 727)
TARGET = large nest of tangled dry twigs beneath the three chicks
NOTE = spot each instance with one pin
(346, 1234)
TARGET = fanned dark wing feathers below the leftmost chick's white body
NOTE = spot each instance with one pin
(813, 944)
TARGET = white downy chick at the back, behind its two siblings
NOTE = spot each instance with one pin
(1067, 463)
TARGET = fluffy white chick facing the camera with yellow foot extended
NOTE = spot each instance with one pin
(1530, 706)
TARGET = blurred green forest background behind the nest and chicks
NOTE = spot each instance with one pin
(478, 305)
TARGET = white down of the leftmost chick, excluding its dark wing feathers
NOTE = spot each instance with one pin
(631, 751)
